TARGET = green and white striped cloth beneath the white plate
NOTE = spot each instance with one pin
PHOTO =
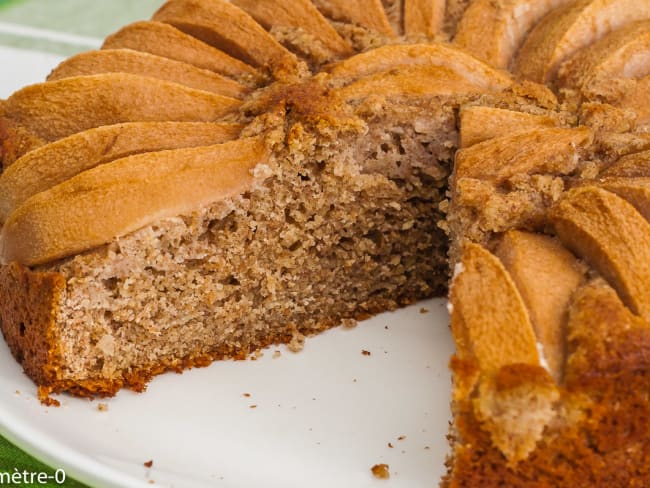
(62, 27)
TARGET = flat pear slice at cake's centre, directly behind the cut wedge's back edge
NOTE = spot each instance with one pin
(411, 81)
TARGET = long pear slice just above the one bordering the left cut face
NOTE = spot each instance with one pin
(59, 161)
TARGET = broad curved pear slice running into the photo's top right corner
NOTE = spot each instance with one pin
(568, 29)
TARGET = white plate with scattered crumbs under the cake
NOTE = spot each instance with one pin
(322, 418)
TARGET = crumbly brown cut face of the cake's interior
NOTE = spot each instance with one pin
(339, 224)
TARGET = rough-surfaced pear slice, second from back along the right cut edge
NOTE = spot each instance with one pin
(551, 151)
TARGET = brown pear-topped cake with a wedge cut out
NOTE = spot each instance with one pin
(230, 175)
